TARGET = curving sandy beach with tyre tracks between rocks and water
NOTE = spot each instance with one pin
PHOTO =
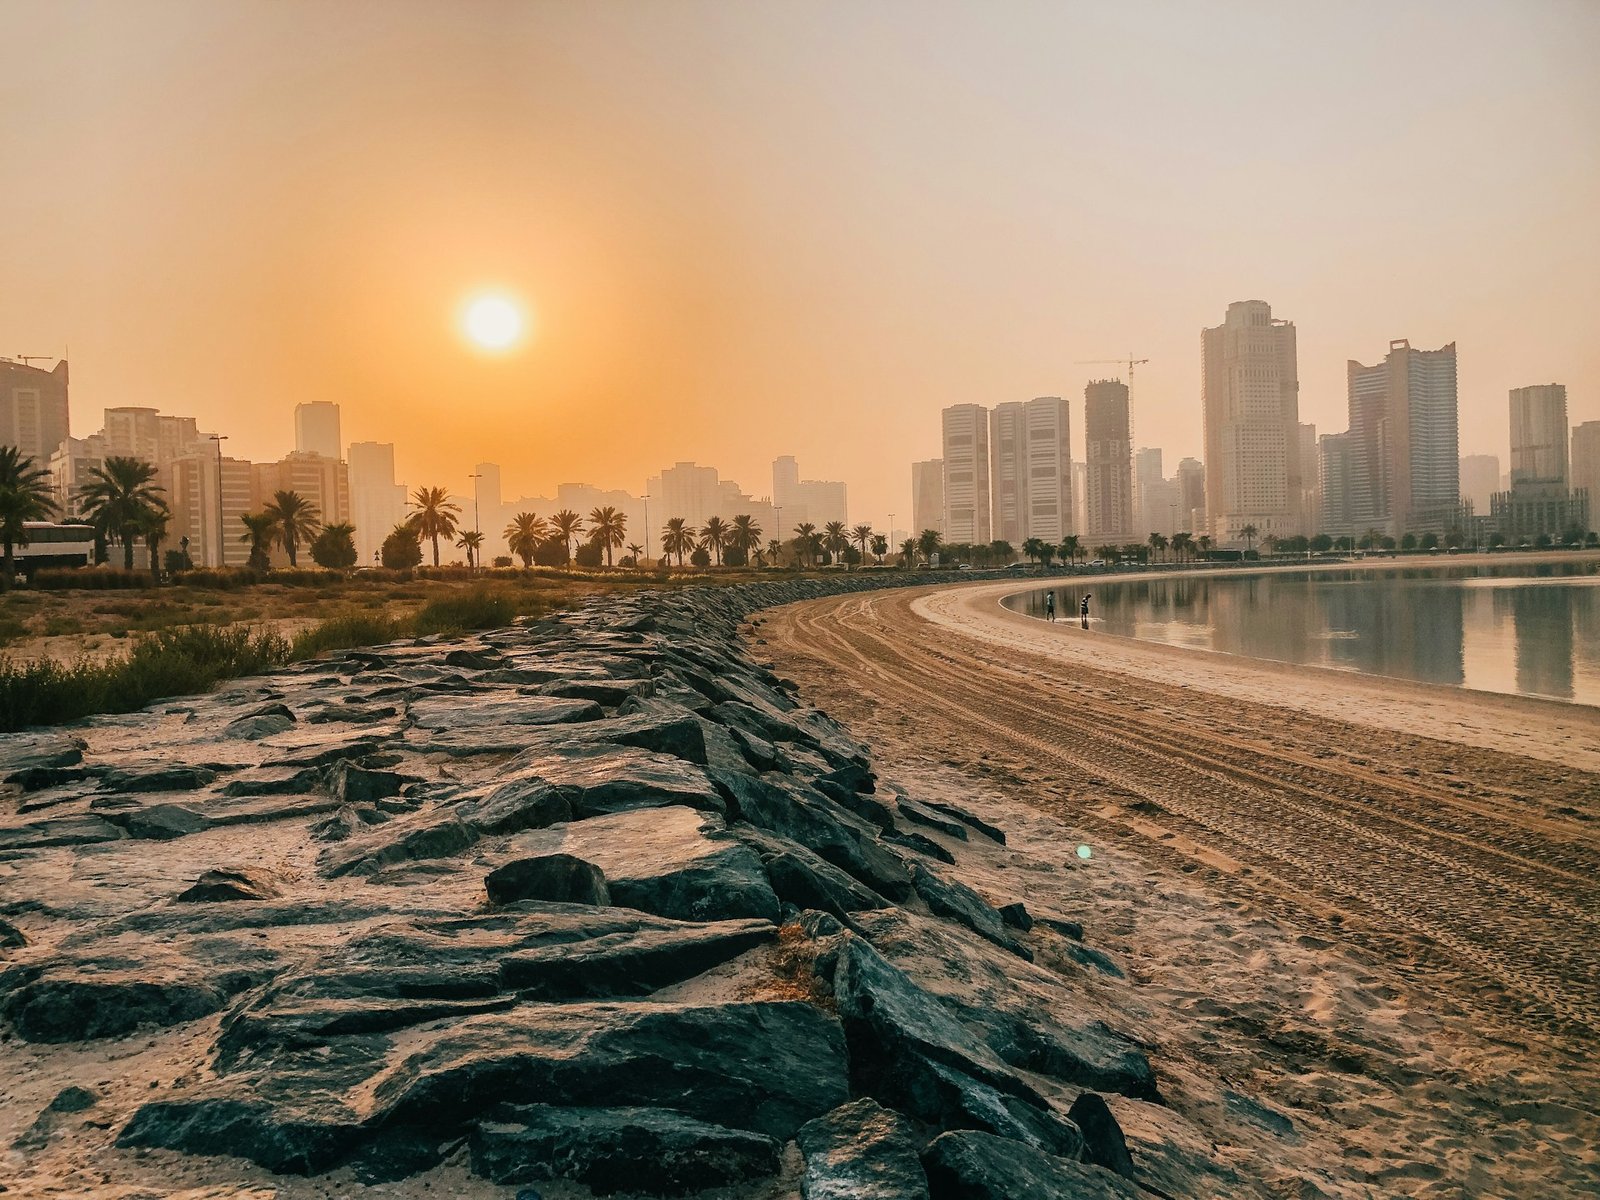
(1372, 900)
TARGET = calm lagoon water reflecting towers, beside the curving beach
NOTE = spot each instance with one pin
(1530, 631)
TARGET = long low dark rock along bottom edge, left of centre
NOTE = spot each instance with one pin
(618, 1150)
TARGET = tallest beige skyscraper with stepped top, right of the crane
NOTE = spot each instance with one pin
(1250, 383)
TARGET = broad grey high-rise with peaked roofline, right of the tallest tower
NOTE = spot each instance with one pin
(1406, 462)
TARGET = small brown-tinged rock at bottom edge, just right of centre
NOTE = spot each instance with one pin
(862, 1151)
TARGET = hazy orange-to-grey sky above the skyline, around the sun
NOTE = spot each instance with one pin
(751, 230)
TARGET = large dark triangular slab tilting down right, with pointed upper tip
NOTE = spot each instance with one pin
(910, 1050)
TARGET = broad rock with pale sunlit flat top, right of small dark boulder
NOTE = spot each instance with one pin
(671, 862)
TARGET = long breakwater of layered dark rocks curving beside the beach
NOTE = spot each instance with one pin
(594, 898)
